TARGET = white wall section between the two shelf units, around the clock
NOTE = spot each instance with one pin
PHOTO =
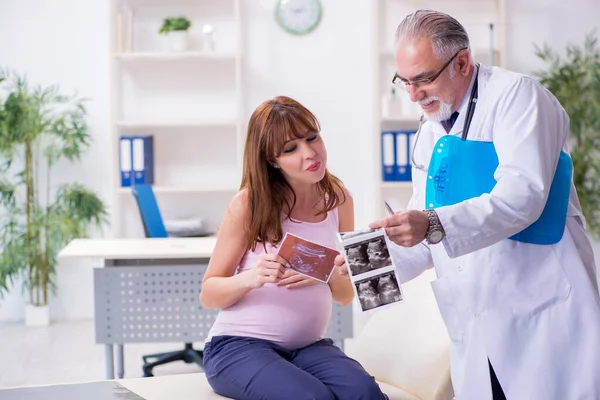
(329, 71)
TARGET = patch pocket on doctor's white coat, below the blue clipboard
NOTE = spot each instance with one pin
(531, 279)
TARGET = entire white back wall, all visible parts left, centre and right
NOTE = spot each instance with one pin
(66, 42)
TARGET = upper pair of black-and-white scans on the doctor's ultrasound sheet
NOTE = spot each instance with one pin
(368, 256)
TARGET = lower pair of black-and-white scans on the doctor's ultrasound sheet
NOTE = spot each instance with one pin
(378, 291)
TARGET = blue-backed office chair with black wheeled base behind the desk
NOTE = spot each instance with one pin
(155, 228)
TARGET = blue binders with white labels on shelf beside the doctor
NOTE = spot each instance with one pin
(395, 155)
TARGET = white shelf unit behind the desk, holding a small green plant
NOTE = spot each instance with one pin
(189, 101)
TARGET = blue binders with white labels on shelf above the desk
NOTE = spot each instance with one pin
(136, 160)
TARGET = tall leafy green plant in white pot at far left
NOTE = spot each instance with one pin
(38, 128)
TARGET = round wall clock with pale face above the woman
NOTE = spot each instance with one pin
(298, 16)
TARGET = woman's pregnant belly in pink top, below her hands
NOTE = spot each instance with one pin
(292, 318)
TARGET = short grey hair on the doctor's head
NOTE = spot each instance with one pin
(447, 35)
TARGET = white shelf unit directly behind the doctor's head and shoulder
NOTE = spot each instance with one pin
(476, 16)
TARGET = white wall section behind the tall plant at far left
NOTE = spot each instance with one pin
(64, 42)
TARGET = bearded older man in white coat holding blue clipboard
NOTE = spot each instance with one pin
(521, 306)
